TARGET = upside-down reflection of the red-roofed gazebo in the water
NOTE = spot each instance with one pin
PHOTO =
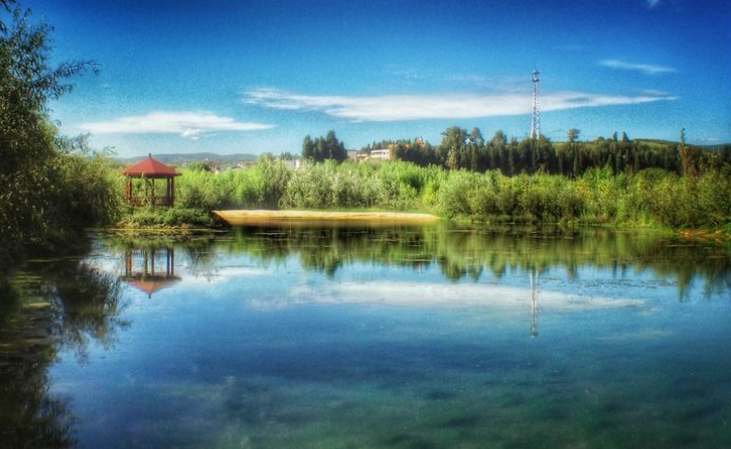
(150, 269)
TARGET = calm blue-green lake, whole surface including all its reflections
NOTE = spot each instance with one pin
(383, 337)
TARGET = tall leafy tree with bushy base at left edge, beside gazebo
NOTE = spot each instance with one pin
(49, 184)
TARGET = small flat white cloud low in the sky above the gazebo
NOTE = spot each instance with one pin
(187, 124)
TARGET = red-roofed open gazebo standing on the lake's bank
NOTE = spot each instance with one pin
(149, 170)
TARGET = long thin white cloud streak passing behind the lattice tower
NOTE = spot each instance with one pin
(416, 107)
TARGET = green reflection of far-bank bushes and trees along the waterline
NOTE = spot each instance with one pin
(462, 253)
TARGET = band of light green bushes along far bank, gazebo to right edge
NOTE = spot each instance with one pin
(650, 198)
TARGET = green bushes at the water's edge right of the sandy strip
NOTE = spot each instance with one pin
(653, 197)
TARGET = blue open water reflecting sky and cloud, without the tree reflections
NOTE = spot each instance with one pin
(272, 354)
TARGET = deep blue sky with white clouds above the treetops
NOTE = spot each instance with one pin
(256, 76)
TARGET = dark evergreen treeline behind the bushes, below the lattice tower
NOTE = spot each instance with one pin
(460, 149)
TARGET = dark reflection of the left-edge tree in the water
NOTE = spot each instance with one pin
(49, 307)
